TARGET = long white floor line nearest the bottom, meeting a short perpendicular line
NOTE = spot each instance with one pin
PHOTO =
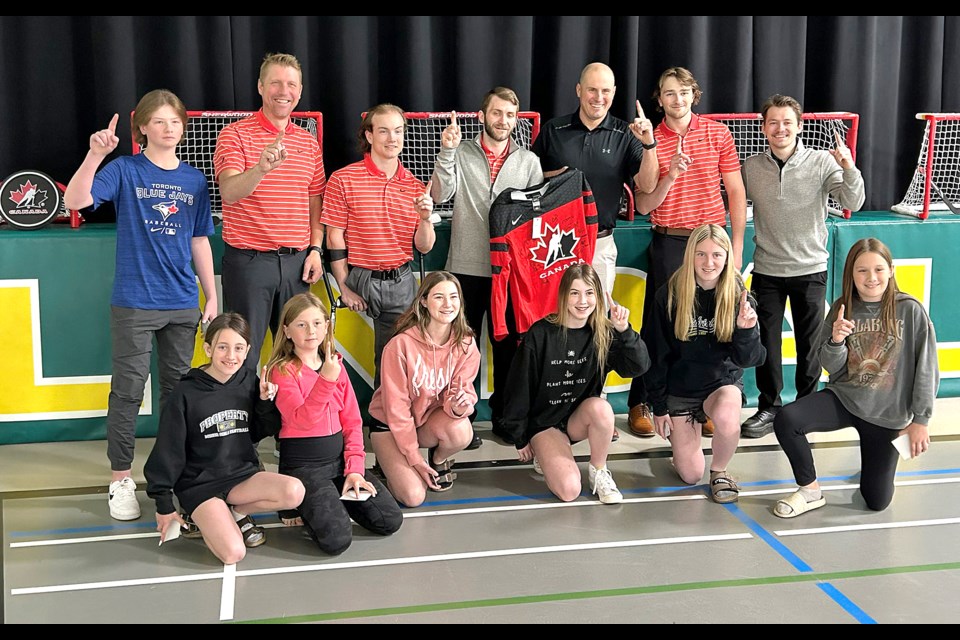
(496, 553)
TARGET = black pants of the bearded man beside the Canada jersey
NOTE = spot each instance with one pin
(476, 304)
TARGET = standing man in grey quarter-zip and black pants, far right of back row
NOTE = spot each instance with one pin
(789, 186)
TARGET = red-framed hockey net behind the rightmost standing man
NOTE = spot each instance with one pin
(817, 133)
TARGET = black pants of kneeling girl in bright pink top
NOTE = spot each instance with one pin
(327, 517)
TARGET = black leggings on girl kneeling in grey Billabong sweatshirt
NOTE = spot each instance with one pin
(821, 412)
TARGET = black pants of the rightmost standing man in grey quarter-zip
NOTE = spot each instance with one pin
(807, 296)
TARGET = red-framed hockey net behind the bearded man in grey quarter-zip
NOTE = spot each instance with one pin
(421, 141)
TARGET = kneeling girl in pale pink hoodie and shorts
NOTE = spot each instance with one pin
(426, 392)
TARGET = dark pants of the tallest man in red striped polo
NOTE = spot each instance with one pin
(256, 284)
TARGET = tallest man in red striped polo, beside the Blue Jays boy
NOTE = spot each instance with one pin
(271, 178)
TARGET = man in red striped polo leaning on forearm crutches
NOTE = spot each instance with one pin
(375, 211)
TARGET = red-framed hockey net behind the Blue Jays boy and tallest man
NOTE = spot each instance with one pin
(200, 141)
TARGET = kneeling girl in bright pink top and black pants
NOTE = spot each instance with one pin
(321, 437)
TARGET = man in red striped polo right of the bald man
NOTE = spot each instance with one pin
(695, 154)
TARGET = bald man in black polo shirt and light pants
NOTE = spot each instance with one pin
(600, 145)
